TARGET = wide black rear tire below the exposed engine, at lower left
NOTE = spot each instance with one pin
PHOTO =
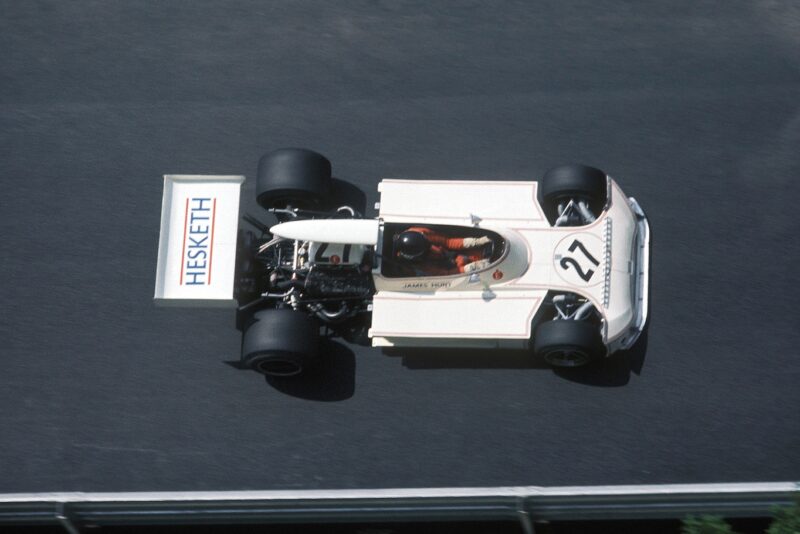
(281, 343)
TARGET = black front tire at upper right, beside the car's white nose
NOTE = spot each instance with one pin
(578, 182)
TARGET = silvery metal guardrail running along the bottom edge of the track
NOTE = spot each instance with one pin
(526, 504)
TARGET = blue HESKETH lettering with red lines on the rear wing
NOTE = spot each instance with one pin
(199, 236)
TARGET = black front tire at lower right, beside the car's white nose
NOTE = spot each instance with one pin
(568, 343)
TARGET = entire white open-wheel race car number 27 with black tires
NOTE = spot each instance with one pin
(559, 266)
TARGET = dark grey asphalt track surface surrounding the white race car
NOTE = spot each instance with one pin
(692, 106)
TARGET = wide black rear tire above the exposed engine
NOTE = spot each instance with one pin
(292, 176)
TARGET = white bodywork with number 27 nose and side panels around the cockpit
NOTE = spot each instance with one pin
(495, 307)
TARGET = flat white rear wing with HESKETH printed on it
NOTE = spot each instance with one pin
(197, 243)
